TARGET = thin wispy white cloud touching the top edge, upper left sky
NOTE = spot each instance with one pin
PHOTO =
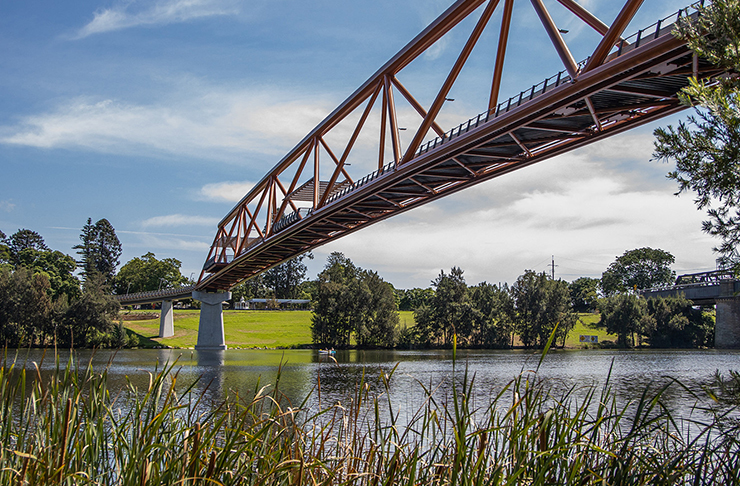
(125, 15)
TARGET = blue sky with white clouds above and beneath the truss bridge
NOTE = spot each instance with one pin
(160, 115)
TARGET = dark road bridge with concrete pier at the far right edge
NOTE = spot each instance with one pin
(718, 288)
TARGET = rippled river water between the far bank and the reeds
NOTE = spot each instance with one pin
(305, 373)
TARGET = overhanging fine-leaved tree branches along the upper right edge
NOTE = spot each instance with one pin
(706, 148)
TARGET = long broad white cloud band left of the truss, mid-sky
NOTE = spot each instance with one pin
(212, 123)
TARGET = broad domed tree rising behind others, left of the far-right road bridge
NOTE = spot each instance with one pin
(638, 269)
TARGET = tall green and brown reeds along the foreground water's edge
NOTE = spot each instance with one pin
(71, 429)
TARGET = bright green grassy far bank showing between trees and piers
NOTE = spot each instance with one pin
(281, 329)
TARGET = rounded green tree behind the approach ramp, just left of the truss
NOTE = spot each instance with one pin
(147, 273)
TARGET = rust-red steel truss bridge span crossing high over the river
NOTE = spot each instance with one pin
(624, 83)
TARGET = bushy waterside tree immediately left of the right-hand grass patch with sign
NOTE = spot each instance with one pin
(541, 303)
